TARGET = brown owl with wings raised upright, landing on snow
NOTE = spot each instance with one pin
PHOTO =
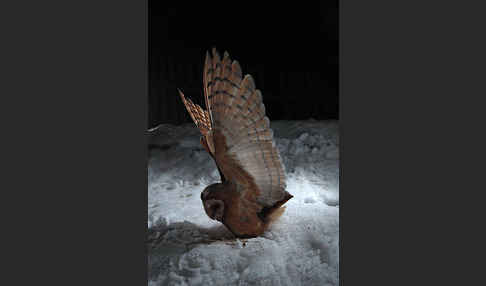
(237, 135)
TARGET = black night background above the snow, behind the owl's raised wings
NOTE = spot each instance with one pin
(291, 50)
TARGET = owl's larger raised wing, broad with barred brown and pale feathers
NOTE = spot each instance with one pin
(243, 140)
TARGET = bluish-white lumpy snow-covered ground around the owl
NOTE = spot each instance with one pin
(185, 247)
